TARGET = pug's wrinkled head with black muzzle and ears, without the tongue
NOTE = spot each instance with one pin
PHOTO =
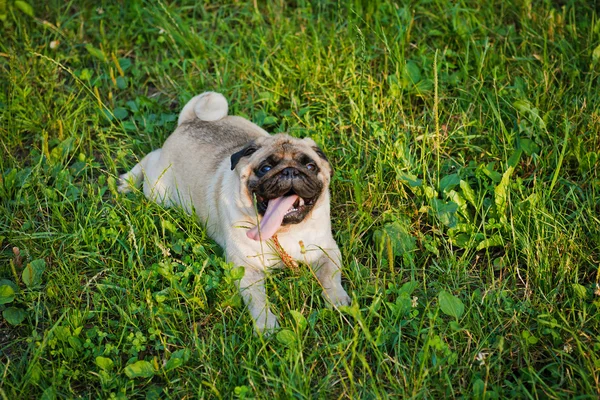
(280, 166)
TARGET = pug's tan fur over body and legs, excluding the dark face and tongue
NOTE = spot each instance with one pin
(193, 170)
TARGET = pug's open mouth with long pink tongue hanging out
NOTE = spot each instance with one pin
(276, 212)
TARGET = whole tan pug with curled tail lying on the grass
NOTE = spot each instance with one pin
(248, 188)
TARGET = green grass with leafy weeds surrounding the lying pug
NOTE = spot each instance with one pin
(466, 200)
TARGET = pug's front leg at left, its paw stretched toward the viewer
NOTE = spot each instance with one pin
(252, 289)
